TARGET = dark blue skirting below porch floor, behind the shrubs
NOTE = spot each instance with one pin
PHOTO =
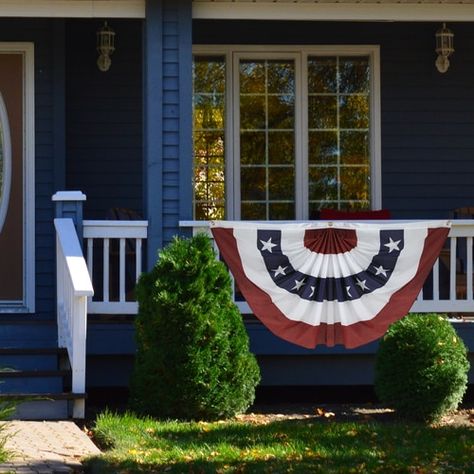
(110, 349)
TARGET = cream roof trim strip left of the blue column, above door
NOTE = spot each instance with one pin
(73, 8)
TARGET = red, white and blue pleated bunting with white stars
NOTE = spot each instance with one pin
(330, 282)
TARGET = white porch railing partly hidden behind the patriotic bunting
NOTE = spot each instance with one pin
(449, 288)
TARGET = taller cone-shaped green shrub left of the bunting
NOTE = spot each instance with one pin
(193, 359)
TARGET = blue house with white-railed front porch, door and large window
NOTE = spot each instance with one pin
(126, 122)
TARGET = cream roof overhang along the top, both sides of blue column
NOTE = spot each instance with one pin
(319, 10)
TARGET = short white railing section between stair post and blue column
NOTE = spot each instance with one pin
(114, 260)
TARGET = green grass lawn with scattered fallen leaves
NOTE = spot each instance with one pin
(134, 445)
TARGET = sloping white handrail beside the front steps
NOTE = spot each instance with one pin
(74, 286)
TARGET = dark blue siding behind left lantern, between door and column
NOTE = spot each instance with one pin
(104, 118)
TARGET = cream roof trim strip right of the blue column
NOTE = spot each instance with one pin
(334, 11)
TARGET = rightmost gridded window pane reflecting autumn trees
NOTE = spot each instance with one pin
(338, 142)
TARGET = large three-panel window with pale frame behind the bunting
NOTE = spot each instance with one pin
(279, 135)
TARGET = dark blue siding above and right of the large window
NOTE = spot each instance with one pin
(427, 117)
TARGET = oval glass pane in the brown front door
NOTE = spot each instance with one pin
(5, 163)
